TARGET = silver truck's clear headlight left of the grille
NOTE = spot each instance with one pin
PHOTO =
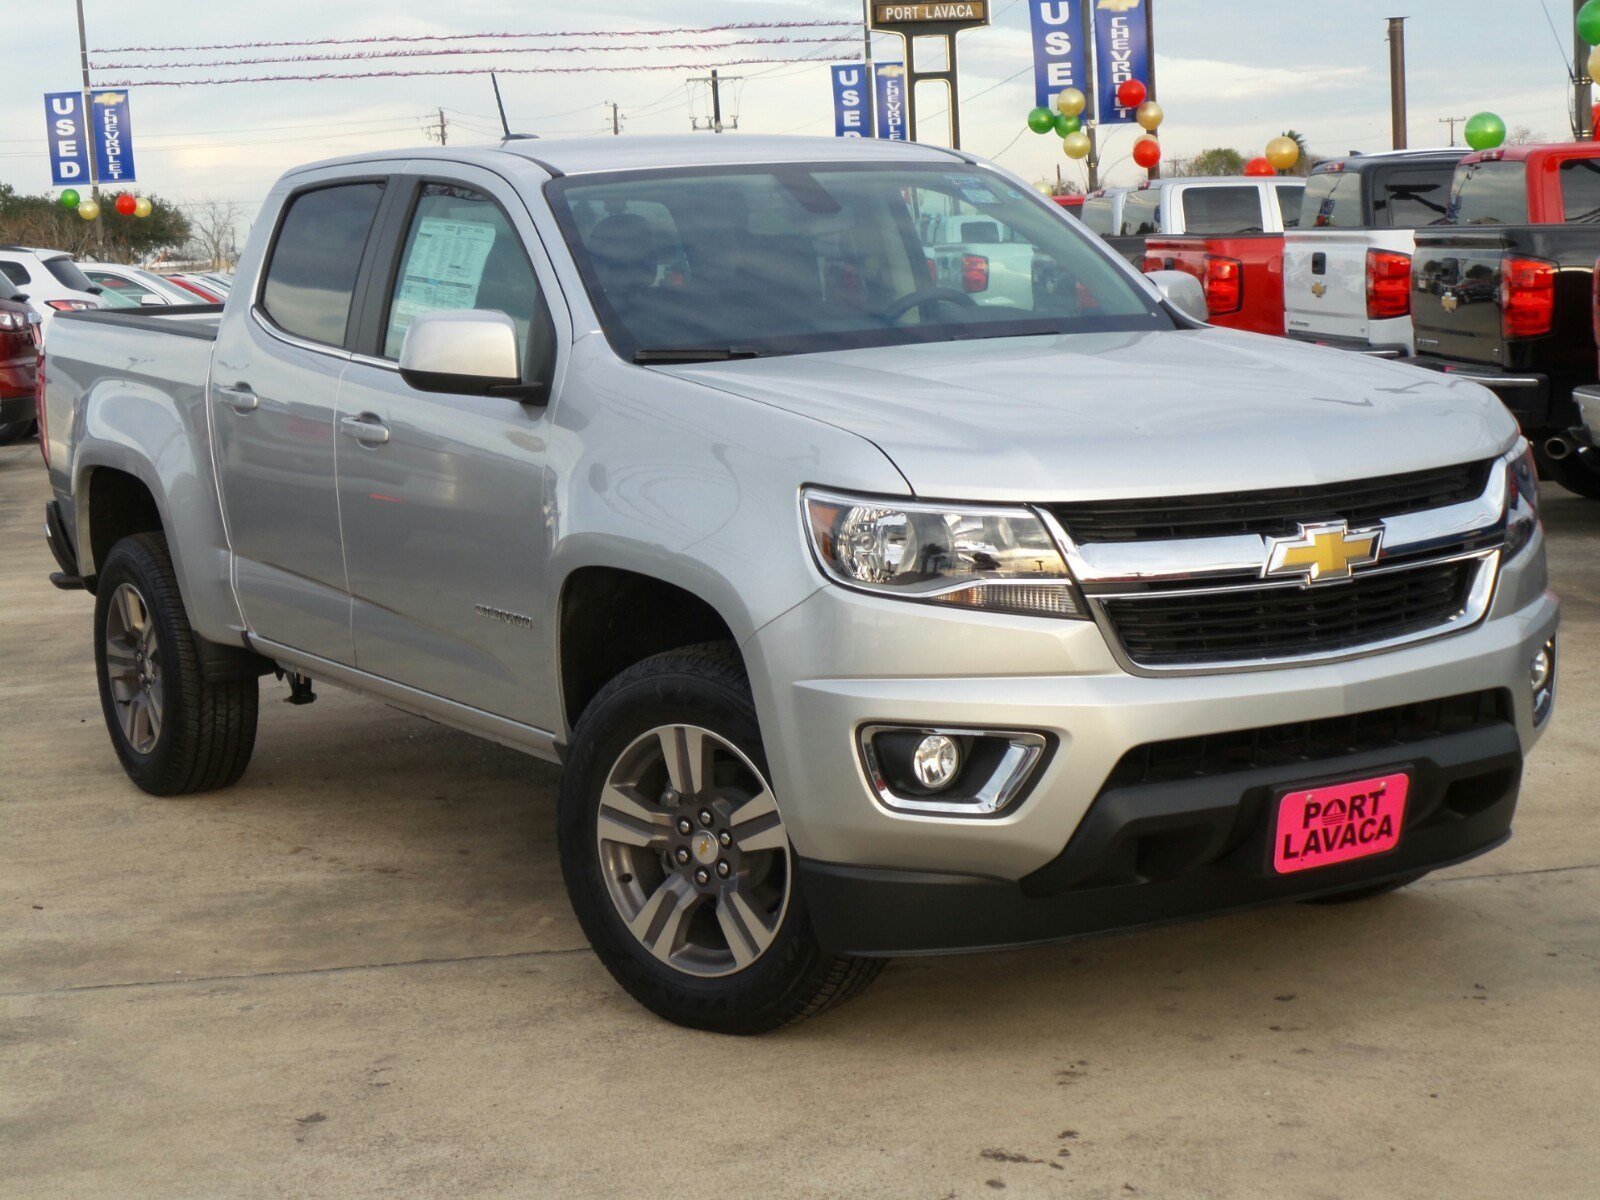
(998, 561)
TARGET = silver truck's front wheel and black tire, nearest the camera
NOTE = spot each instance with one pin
(726, 943)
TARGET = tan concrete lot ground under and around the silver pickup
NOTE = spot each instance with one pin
(358, 975)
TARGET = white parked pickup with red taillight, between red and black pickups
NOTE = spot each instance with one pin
(1348, 263)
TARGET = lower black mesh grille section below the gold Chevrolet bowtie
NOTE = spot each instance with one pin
(1262, 623)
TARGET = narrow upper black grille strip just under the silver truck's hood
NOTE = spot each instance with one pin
(1270, 513)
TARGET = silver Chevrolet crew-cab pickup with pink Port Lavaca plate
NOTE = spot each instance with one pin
(866, 620)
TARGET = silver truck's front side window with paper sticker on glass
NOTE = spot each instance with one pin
(462, 254)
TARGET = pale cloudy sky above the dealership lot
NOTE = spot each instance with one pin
(1230, 73)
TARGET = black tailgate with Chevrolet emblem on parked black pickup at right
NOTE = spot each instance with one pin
(1455, 295)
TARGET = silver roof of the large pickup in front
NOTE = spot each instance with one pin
(588, 156)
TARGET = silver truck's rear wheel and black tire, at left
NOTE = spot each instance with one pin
(196, 735)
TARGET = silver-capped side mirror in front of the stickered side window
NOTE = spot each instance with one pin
(466, 353)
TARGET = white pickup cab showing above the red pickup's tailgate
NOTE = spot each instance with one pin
(1207, 207)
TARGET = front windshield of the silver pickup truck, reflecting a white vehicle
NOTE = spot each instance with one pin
(714, 263)
